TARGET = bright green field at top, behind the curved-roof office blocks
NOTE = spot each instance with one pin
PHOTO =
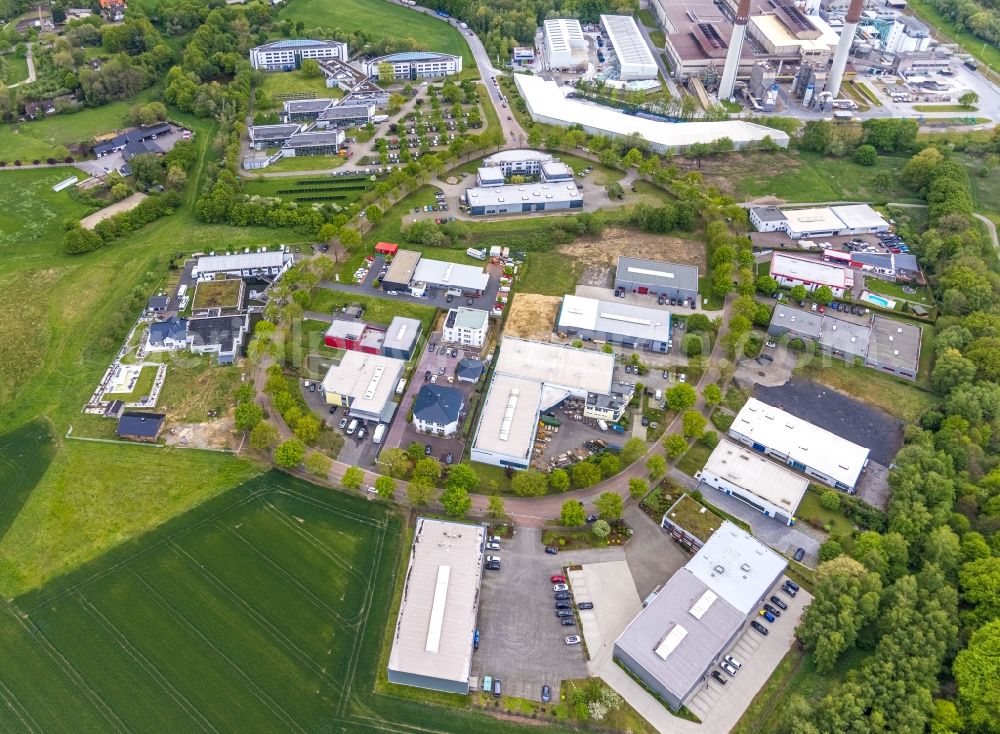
(380, 19)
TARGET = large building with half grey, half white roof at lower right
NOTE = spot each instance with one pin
(676, 640)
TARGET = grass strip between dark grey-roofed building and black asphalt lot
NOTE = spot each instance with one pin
(895, 396)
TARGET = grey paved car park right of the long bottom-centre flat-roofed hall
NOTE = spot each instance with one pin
(520, 638)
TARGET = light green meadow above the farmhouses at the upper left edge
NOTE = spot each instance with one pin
(37, 139)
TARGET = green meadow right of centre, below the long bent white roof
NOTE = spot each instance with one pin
(810, 177)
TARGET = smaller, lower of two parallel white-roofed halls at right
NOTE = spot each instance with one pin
(758, 475)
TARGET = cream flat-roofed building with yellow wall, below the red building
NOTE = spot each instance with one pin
(363, 383)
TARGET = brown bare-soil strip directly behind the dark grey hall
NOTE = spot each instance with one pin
(606, 248)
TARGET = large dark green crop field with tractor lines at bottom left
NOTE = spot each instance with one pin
(260, 611)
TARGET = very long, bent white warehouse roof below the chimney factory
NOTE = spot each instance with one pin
(547, 103)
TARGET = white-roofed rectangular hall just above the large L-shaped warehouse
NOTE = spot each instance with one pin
(616, 322)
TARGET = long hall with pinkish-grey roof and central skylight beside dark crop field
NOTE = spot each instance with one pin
(432, 642)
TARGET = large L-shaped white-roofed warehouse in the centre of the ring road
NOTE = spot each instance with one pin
(531, 377)
